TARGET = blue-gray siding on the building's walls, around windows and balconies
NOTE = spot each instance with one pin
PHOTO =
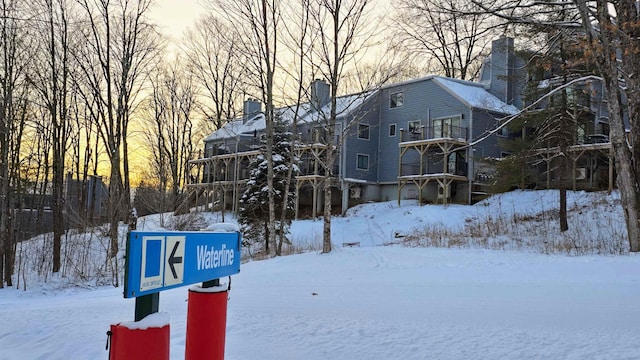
(424, 101)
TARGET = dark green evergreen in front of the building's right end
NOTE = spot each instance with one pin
(555, 124)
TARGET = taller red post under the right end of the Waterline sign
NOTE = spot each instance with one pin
(206, 322)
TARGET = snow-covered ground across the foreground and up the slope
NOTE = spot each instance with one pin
(389, 302)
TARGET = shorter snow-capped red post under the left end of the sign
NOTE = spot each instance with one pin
(145, 339)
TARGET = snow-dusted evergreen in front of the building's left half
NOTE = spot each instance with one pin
(253, 214)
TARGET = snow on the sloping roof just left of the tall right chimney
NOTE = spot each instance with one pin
(474, 95)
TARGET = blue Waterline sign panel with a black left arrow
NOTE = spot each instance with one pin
(158, 261)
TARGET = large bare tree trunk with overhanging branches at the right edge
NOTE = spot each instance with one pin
(613, 44)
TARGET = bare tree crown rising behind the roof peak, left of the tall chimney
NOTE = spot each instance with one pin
(446, 36)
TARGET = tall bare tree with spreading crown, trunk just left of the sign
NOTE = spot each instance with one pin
(120, 46)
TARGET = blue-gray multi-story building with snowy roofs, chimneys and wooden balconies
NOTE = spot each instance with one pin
(409, 140)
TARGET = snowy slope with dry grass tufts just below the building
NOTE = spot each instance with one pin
(516, 220)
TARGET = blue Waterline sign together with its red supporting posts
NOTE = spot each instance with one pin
(158, 261)
